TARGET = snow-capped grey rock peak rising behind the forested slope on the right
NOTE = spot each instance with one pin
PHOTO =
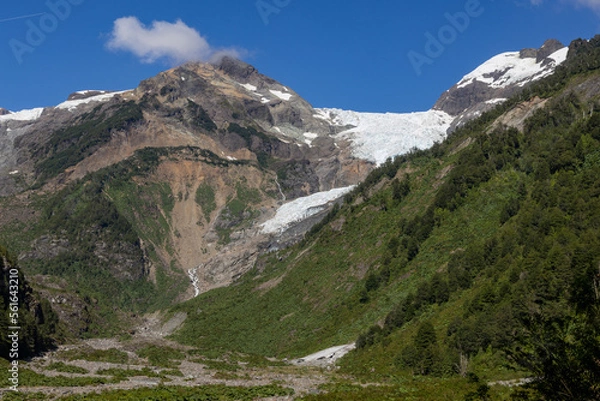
(498, 79)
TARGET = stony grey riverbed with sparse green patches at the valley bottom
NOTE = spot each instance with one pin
(101, 365)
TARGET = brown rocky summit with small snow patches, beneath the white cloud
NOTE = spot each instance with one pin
(251, 98)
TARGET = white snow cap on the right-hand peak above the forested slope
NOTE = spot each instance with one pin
(513, 70)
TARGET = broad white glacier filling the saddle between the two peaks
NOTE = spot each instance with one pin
(376, 137)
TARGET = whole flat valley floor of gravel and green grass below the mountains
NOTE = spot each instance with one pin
(99, 368)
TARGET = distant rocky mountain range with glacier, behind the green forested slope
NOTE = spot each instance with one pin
(191, 176)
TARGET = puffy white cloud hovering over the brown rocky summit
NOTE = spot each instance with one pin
(175, 42)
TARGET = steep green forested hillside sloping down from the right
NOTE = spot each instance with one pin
(480, 256)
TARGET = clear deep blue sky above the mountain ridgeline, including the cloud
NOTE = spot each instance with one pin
(350, 54)
